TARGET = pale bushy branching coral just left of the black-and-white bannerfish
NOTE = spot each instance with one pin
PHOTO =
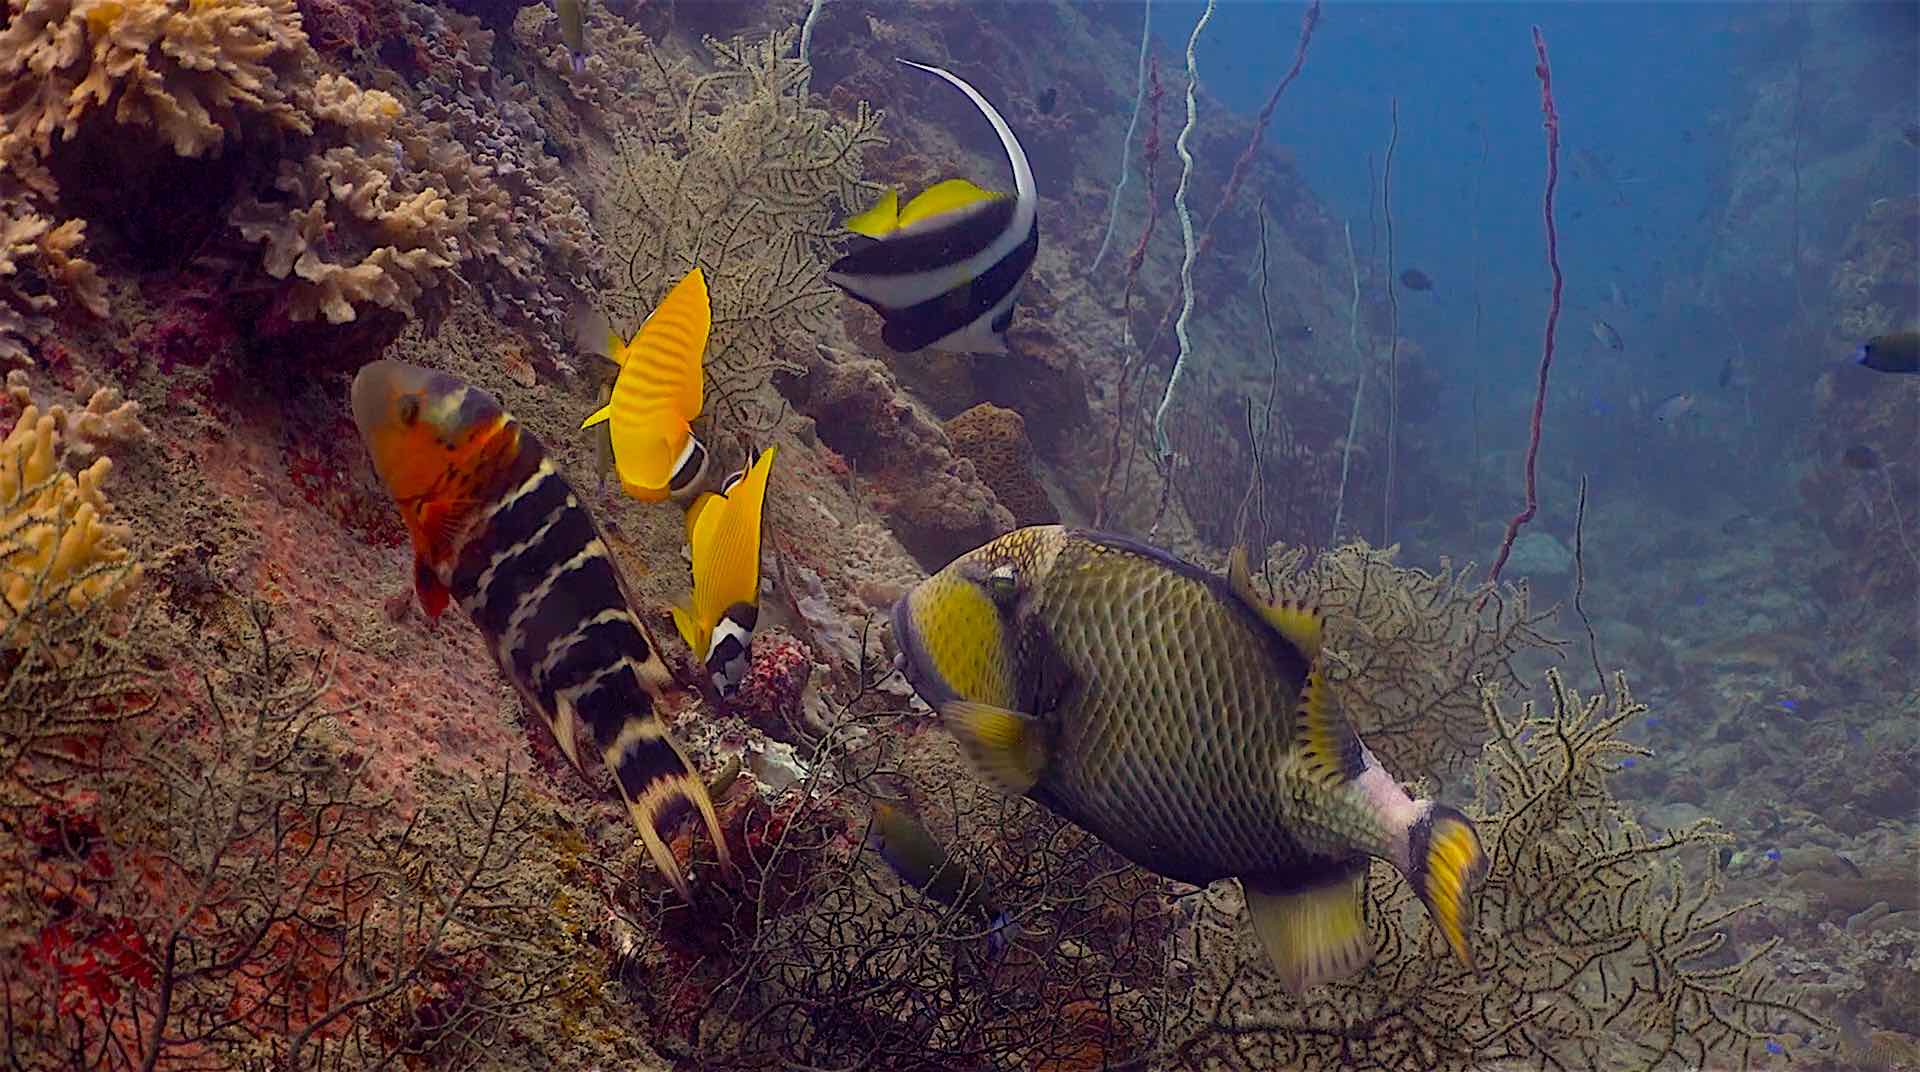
(746, 182)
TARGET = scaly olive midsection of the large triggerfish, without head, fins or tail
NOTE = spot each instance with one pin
(1172, 758)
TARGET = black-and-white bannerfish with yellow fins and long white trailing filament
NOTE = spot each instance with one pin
(946, 270)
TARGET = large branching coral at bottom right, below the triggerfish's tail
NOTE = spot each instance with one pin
(1600, 944)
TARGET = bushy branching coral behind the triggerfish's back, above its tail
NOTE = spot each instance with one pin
(1404, 650)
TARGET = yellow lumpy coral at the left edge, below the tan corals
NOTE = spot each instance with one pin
(57, 547)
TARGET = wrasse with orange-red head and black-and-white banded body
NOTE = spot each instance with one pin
(500, 531)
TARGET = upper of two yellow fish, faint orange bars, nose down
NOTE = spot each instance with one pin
(660, 391)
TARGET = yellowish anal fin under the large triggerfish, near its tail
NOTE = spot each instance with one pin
(1314, 933)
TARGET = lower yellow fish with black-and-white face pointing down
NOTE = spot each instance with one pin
(725, 537)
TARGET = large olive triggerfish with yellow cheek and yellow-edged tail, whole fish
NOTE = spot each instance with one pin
(1182, 719)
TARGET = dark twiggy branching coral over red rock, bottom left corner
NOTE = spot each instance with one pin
(239, 896)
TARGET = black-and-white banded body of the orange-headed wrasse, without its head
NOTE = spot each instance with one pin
(537, 577)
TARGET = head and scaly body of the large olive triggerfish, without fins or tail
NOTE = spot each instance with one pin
(1166, 706)
